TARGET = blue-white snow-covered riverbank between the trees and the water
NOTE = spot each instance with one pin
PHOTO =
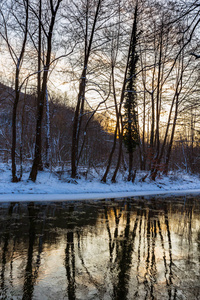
(53, 186)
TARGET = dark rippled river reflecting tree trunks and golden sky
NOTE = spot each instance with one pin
(113, 249)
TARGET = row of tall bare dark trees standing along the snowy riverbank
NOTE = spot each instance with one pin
(156, 74)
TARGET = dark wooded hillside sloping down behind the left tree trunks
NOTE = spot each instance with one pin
(97, 141)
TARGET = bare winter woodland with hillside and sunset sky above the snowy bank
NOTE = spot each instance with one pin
(129, 72)
